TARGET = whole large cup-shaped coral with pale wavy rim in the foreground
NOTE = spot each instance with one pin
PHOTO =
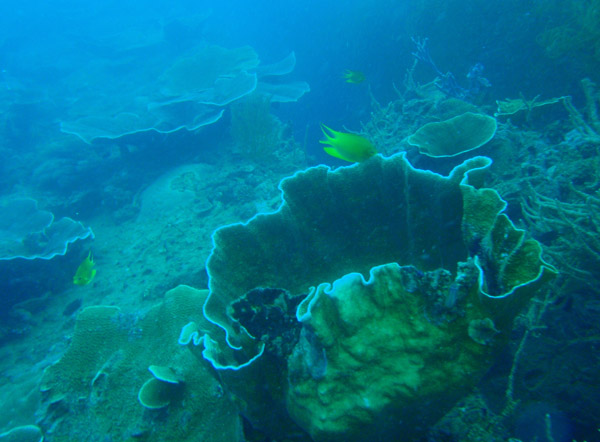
(353, 220)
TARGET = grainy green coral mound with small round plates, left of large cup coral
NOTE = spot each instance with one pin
(102, 379)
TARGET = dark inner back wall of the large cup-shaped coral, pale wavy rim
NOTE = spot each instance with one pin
(337, 222)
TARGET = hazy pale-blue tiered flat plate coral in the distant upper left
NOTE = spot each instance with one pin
(188, 91)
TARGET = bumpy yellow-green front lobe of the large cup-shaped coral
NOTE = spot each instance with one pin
(393, 359)
